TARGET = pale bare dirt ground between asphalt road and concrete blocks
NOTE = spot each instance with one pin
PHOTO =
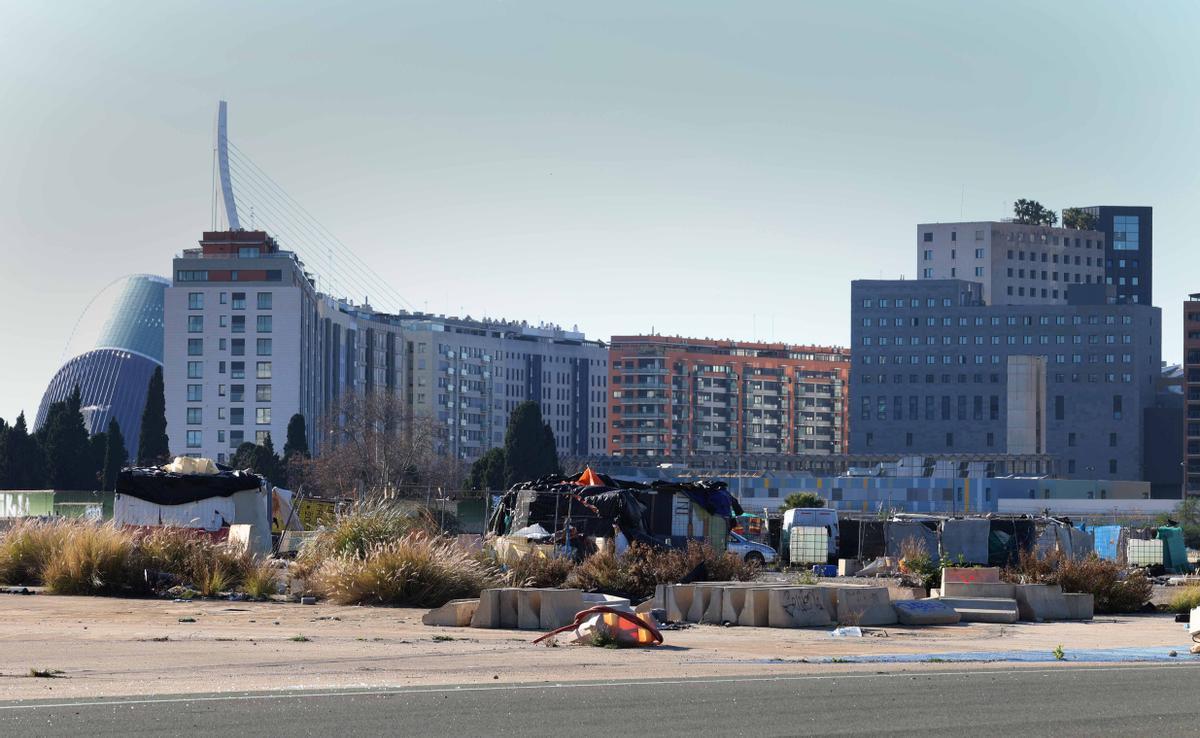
(109, 647)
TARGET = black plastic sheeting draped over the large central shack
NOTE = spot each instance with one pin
(643, 513)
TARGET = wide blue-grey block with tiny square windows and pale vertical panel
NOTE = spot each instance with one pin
(939, 370)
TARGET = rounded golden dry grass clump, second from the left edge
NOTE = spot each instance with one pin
(97, 560)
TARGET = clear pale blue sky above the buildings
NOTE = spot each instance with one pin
(699, 169)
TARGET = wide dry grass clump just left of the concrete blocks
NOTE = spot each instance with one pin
(417, 571)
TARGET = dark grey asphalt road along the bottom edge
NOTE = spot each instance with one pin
(1066, 701)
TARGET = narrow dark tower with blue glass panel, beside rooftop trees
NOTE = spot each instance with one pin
(1130, 250)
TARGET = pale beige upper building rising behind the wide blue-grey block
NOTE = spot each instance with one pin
(1016, 265)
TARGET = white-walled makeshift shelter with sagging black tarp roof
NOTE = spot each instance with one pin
(213, 500)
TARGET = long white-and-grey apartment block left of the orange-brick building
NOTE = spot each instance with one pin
(250, 343)
